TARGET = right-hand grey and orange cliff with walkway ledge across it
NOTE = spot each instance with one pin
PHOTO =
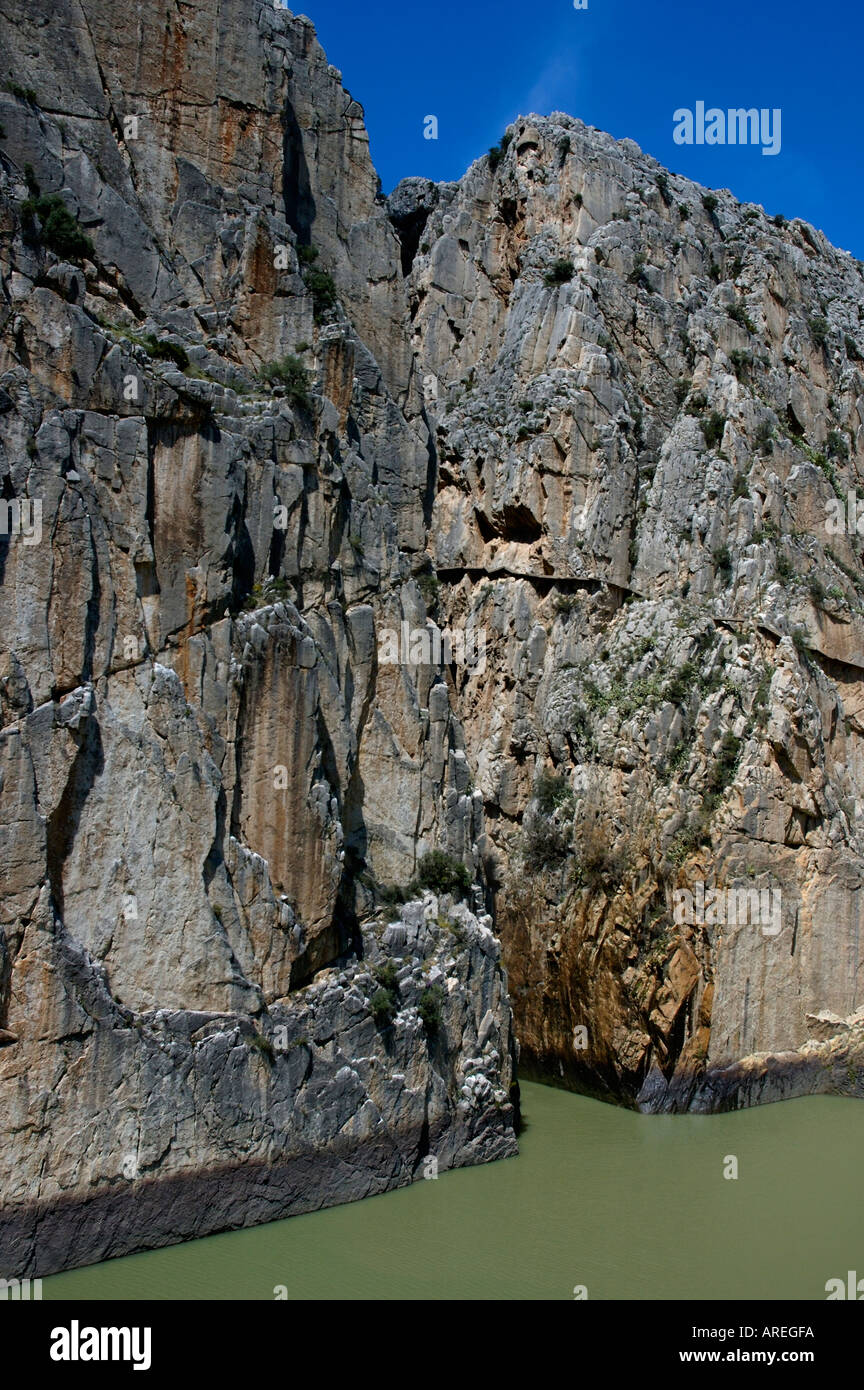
(649, 414)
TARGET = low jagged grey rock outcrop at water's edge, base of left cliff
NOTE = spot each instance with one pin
(178, 1122)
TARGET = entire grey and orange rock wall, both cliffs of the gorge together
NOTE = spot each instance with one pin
(491, 521)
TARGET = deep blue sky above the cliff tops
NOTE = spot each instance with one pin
(622, 66)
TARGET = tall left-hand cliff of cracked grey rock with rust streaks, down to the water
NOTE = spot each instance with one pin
(205, 774)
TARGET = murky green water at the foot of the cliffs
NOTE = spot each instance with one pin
(629, 1206)
